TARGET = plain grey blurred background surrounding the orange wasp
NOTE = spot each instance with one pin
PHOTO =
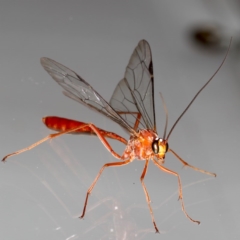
(43, 190)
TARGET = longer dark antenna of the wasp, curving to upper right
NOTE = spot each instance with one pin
(174, 125)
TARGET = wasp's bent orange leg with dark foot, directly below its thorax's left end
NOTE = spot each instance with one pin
(114, 164)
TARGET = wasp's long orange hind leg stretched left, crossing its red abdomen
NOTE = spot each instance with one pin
(54, 135)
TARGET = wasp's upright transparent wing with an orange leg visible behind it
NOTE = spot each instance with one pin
(133, 97)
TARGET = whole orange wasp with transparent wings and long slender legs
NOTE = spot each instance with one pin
(131, 106)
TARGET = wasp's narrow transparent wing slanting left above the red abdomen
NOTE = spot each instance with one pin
(79, 90)
